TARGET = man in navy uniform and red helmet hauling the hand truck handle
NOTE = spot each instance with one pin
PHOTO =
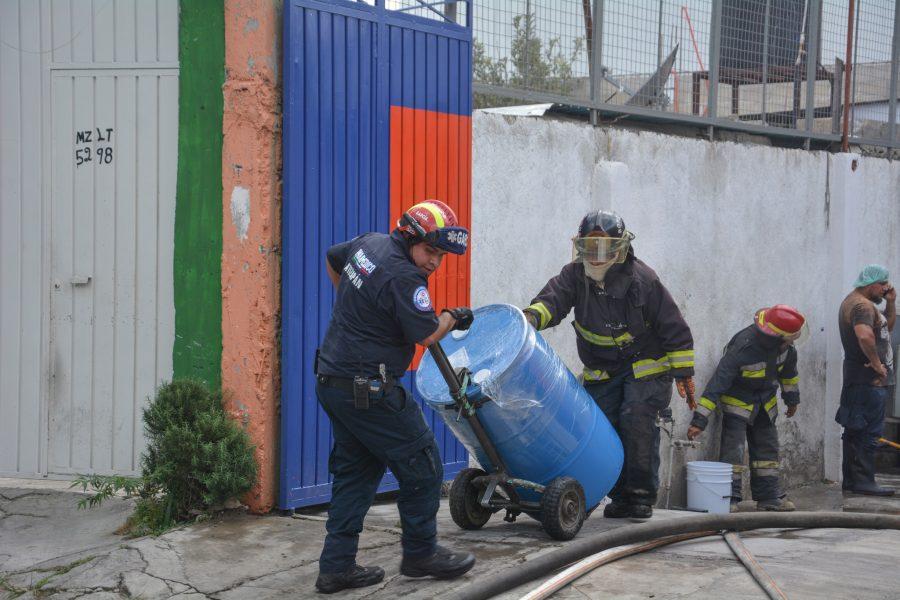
(381, 311)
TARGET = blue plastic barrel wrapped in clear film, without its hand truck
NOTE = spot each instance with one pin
(541, 420)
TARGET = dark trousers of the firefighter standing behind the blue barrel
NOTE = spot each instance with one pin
(632, 405)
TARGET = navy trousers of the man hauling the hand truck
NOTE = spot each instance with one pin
(391, 433)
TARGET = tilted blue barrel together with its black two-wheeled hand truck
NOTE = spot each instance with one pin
(532, 427)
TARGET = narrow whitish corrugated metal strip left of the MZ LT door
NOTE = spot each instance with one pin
(21, 255)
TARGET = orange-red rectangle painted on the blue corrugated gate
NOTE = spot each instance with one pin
(431, 158)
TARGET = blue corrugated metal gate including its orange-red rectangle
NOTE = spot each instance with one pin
(377, 116)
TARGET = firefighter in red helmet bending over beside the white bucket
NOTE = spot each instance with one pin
(757, 360)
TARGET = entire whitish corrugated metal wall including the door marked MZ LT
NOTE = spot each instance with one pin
(72, 383)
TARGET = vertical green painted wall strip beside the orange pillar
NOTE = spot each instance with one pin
(198, 213)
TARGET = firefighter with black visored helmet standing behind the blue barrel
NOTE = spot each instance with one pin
(632, 341)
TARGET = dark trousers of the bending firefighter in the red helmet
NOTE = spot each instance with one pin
(761, 437)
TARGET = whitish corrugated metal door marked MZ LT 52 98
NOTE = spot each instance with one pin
(112, 310)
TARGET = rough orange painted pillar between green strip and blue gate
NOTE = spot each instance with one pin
(251, 203)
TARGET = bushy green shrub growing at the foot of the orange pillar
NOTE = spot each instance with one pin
(197, 458)
